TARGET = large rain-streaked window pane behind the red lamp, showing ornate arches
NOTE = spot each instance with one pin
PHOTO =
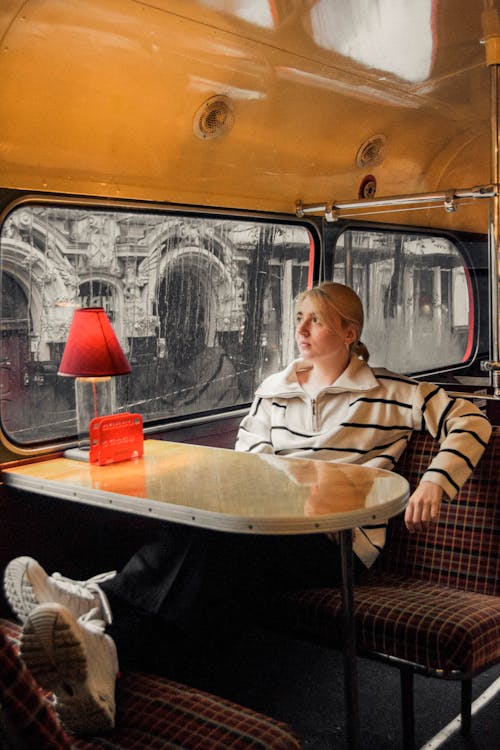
(201, 306)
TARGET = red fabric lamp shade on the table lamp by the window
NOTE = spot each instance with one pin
(92, 349)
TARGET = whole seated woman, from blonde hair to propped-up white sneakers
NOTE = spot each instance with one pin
(328, 405)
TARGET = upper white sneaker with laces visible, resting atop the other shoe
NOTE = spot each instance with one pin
(27, 585)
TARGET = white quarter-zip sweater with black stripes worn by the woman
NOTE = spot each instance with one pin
(366, 417)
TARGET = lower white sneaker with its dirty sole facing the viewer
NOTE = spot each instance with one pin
(77, 662)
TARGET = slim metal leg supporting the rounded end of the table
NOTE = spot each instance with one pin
(349, 644)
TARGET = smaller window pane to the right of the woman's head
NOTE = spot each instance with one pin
(415, 294)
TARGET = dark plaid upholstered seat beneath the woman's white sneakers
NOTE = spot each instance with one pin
(153, 713)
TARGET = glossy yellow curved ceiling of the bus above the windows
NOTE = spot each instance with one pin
(98, 97)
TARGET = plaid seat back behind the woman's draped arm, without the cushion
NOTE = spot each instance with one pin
(463, 549)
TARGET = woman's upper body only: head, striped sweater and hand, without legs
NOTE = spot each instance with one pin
(331, 405)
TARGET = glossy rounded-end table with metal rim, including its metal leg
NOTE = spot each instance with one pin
(246, 493)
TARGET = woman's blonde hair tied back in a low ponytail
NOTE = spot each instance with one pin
(330, 296)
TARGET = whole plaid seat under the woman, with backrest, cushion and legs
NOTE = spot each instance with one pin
(432, 601)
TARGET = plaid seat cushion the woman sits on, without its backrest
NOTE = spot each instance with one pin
(419, 621)
